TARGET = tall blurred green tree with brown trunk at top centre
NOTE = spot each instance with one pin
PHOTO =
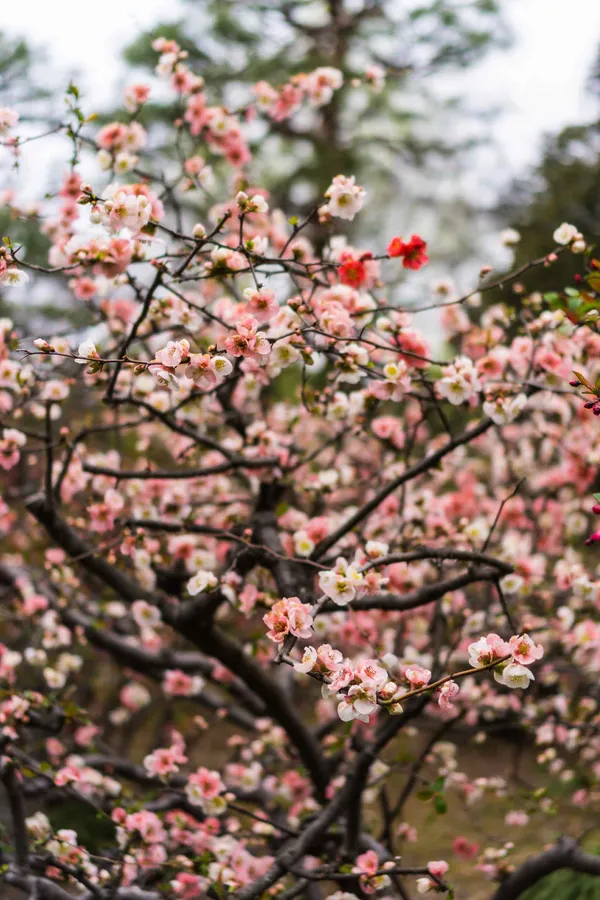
(407, 141)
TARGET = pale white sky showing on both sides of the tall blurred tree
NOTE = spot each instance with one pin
(539, 82)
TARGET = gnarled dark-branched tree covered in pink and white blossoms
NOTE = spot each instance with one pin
(250, 487)
